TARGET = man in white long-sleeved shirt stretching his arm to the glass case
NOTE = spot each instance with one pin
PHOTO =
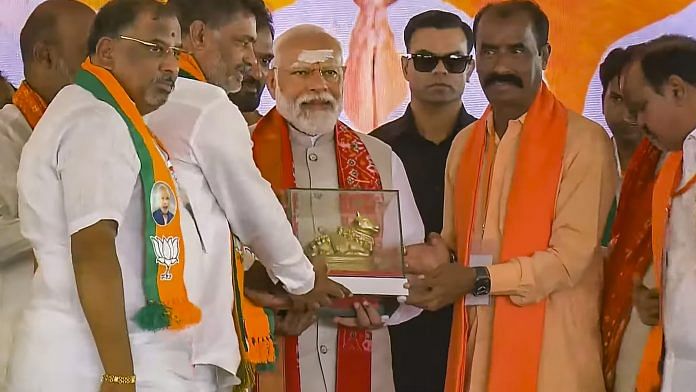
(210, 147)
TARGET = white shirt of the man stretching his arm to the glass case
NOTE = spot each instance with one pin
(210, 148)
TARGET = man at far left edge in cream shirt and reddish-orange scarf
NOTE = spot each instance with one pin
(53, 43)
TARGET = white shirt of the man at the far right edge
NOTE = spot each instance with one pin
(680, 291)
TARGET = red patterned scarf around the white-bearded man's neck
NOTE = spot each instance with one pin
(356, 170)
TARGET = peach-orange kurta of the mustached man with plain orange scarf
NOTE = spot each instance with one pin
(568, 275)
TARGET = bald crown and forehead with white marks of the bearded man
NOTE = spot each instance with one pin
(306, 43)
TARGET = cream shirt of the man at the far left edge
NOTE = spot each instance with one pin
(16, 257)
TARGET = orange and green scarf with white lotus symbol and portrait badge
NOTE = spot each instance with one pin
(166, 299)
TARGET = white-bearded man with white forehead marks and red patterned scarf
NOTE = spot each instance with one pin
(302, 144)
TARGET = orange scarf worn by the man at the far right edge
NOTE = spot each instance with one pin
(649, 377)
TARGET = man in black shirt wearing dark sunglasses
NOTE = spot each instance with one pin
(437, 68)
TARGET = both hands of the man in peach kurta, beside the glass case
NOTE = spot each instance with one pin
(433, 281)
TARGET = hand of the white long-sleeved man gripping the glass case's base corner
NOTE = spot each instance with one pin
(324, 292)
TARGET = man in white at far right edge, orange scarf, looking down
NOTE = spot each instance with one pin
(659, 87)
